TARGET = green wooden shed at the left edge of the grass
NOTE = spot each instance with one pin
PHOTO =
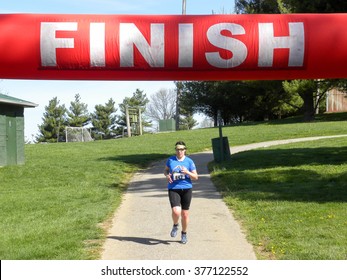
(12, 129)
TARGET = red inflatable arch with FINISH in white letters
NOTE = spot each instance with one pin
(211, 47)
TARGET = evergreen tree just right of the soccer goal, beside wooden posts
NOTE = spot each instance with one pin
(104, 120)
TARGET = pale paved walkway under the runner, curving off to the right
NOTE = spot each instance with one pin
(142, 224)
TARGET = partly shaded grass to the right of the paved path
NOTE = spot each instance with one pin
(291, 199)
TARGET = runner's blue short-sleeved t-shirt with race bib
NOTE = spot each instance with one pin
(180, 180)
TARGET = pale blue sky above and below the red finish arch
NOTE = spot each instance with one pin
(93, 92)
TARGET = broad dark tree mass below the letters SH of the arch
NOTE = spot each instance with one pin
(239, 101)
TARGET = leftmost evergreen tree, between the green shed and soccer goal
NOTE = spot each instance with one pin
(54, 119)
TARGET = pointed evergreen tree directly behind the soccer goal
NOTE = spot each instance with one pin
(78, 115)
